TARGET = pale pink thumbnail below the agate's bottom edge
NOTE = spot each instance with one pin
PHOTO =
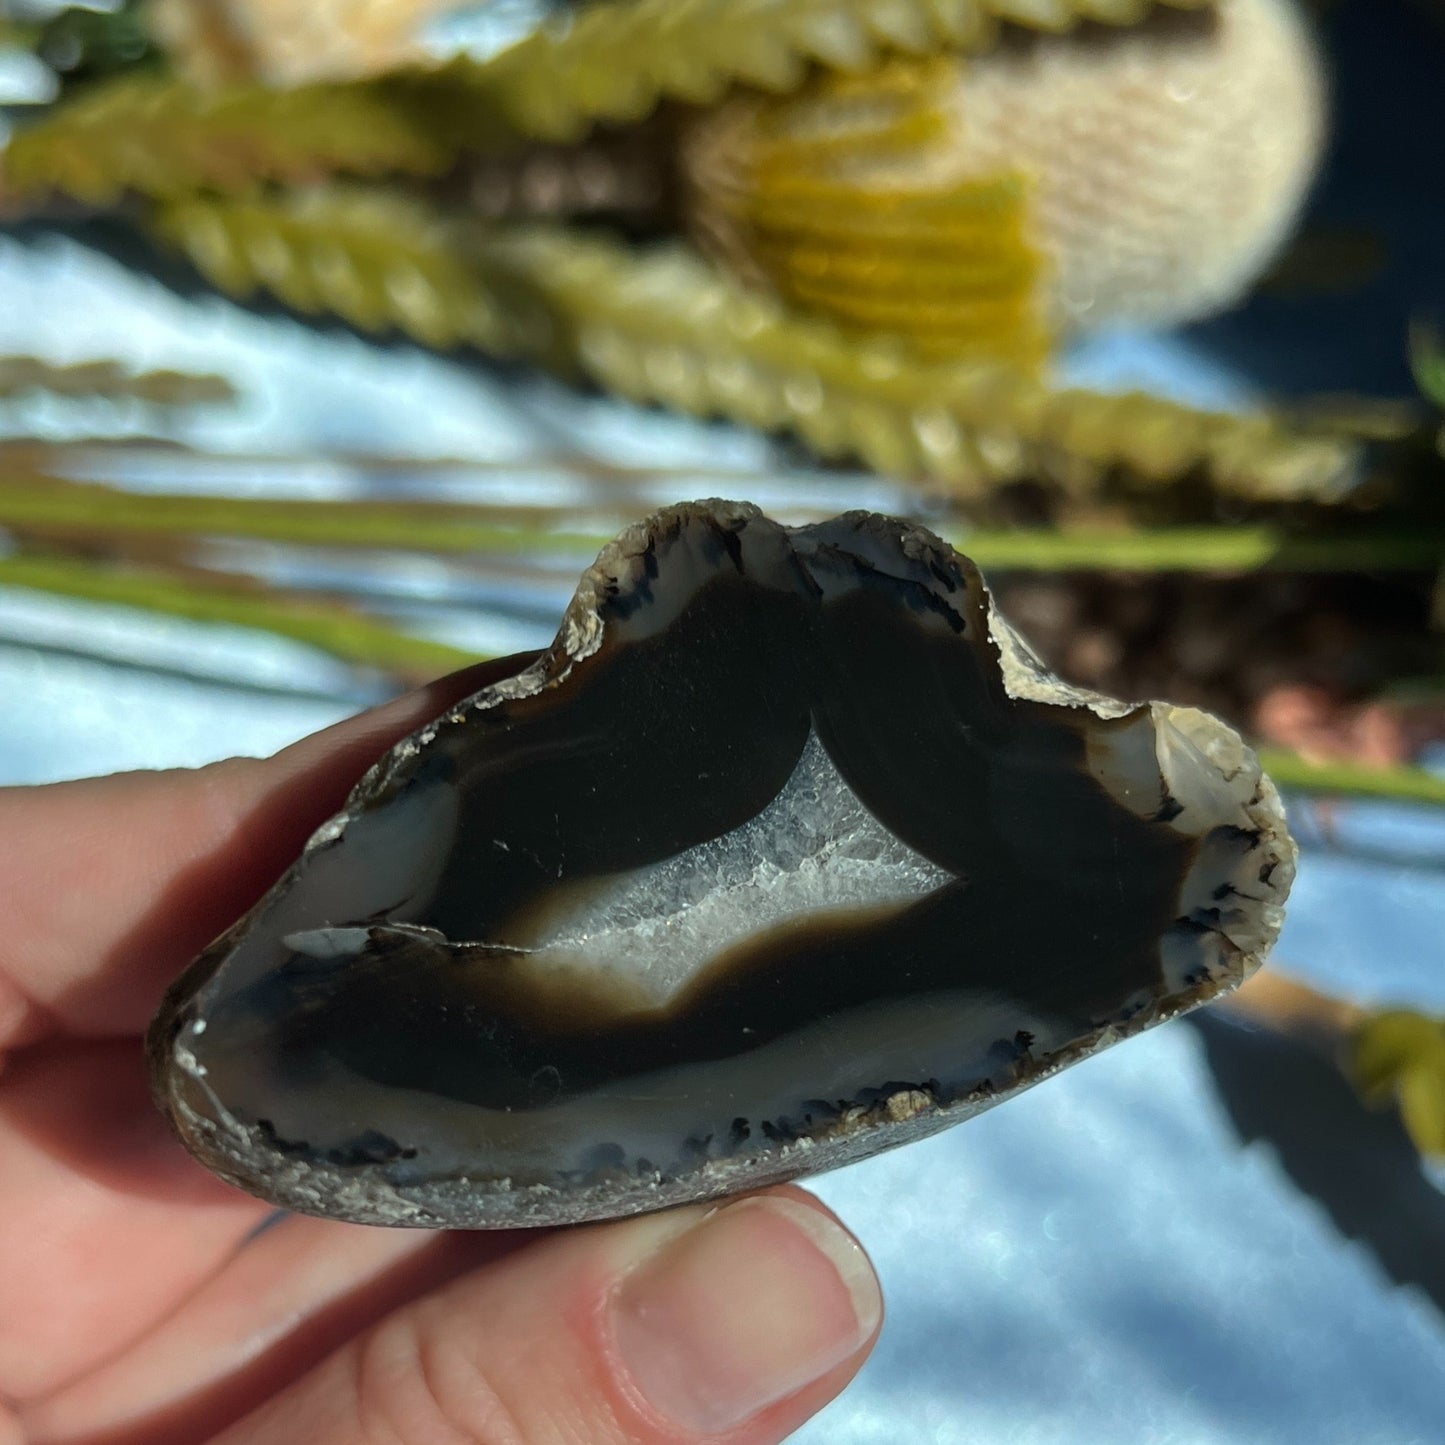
(745, 1310)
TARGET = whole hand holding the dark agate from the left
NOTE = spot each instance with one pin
(144, 1304)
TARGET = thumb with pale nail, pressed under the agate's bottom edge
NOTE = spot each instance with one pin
(699, 1324)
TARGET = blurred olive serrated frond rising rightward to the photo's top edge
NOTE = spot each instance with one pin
(164, 137)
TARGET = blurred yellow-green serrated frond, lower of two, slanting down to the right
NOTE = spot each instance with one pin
(667, 329)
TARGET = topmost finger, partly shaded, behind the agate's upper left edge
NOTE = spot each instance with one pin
(115, 884)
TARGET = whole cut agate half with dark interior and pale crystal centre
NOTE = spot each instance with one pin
(787, 852)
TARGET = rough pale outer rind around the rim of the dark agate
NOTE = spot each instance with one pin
(1210, 774)
